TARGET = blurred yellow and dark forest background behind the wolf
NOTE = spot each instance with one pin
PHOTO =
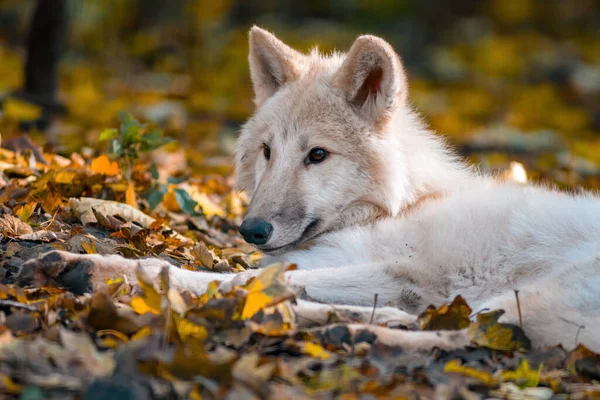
(504, 79)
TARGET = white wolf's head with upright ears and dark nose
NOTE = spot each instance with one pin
(319, 153)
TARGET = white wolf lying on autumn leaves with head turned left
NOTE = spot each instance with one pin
(346, 182)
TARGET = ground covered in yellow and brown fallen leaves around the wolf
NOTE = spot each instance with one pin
(152, 341)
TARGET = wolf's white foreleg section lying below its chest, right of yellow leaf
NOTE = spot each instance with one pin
(400, 284)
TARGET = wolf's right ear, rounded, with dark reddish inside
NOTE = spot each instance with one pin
(372, 79)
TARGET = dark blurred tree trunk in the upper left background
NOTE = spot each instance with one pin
(47, 34)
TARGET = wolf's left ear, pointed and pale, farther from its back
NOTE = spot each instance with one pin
(272, 64)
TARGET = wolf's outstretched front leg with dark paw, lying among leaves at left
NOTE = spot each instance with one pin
(83, 273)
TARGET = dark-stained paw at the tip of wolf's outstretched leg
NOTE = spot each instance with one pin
(76, 272)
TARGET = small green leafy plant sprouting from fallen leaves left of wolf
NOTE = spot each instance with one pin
(130, 140)
